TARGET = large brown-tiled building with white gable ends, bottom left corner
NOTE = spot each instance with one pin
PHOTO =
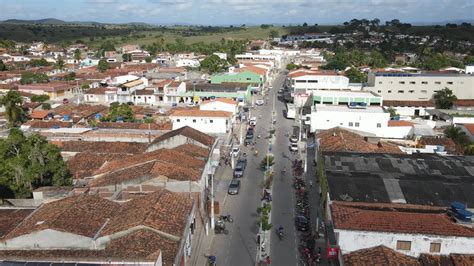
(150, 229)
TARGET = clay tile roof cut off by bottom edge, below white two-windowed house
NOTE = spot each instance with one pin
(379, 255)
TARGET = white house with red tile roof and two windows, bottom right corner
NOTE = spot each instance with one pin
(409, 229)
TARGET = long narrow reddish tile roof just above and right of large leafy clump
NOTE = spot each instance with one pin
(101, 147)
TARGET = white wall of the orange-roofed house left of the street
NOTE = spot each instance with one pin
(203, 124)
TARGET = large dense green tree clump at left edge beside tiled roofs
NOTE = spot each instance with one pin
(29, 162)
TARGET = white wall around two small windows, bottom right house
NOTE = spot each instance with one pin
(355, 240)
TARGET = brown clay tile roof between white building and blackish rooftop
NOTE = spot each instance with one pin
(338, 139)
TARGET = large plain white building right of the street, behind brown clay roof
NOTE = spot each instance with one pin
(372, 119)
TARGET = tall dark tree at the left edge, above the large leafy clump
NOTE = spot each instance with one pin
(14, 112)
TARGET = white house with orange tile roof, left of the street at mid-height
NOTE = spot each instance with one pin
(212, 122)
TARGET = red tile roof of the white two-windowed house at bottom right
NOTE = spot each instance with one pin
(396, 218)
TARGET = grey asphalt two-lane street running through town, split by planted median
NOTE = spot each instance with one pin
(239, 246)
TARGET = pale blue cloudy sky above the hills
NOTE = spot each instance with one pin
(237, 12)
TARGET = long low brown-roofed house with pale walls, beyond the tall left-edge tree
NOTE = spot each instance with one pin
(54, 90)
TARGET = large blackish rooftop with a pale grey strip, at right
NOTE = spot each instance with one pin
(423, 179)
